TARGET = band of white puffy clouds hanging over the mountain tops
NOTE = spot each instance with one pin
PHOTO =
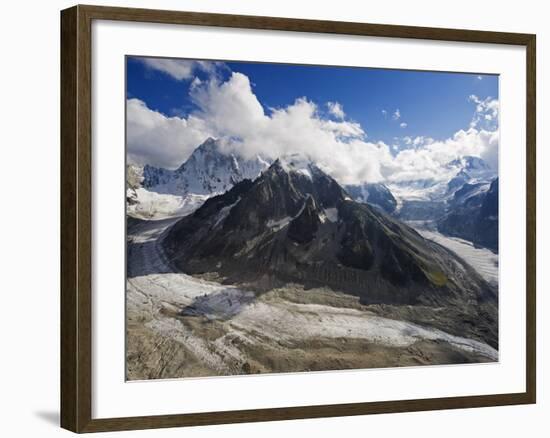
(229, 109)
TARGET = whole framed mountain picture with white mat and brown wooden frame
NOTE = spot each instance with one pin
(268, 218)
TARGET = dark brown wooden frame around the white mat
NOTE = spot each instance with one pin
(76, 217)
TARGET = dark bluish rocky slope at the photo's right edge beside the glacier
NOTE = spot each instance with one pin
(473, 215)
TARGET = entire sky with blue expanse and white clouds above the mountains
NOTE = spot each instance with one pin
(357, 123)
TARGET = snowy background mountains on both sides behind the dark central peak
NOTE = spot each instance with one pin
(454, 204)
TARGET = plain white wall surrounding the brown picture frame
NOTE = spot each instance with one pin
(29, 216)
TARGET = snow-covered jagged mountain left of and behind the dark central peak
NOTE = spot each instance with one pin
(156, 192)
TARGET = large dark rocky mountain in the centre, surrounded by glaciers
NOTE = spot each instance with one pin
(296, 224)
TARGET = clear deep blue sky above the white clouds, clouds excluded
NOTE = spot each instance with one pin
(364, 93)
